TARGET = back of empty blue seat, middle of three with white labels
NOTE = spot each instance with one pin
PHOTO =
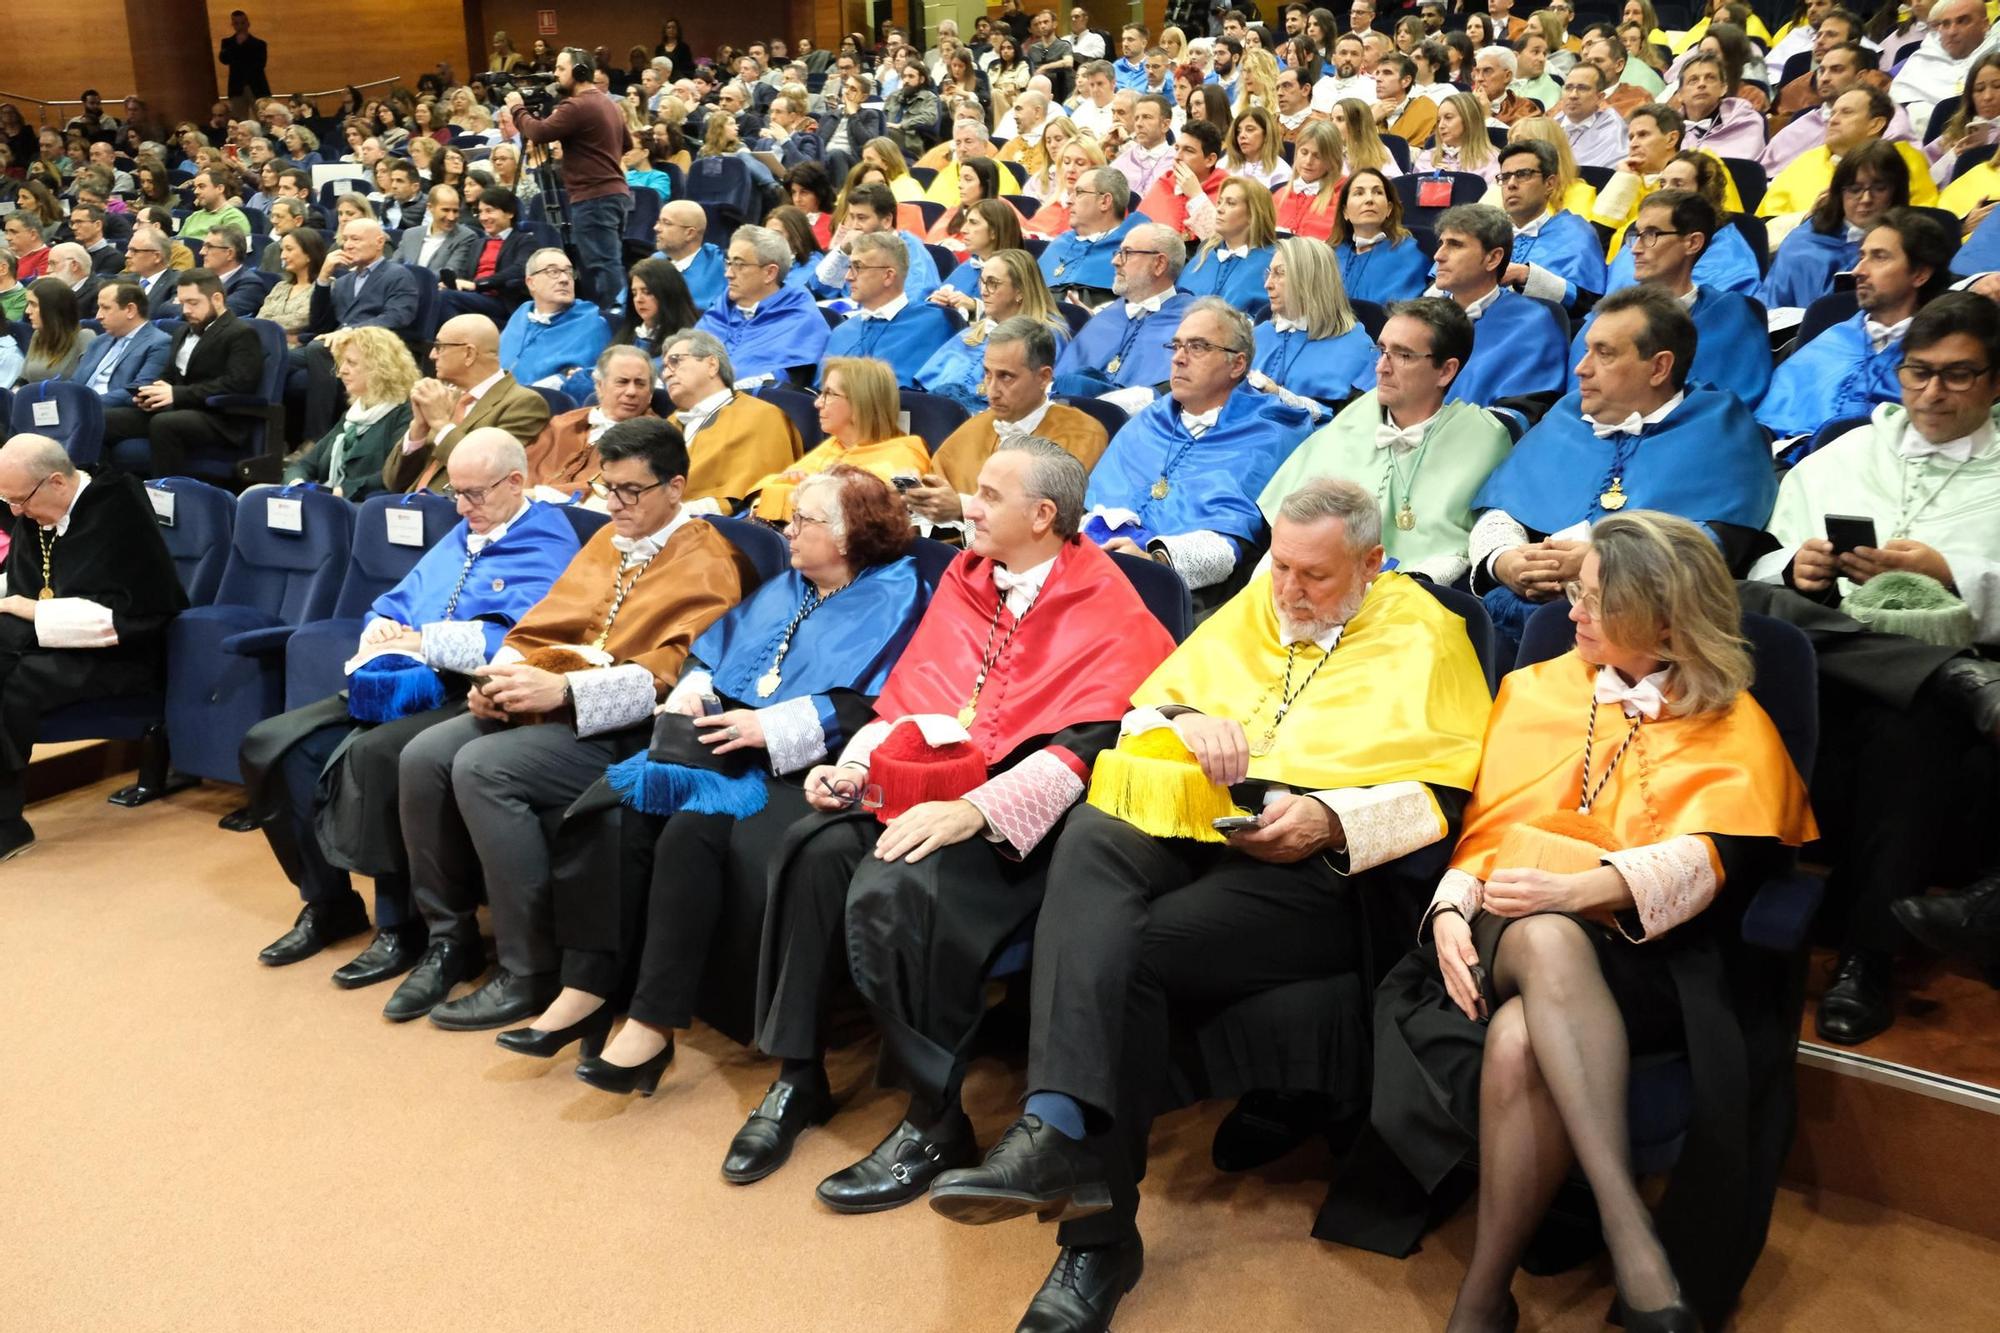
(289, 575)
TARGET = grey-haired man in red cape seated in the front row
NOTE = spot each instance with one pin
(1031, 647)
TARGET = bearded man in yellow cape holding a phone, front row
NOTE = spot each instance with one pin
(1151, 914)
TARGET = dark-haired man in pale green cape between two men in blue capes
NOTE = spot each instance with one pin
(1427, 455)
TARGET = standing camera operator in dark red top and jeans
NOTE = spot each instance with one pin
(595, 139)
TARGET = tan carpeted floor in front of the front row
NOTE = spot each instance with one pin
(193, 1142)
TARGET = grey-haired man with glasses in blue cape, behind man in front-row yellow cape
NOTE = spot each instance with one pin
(1179, 481)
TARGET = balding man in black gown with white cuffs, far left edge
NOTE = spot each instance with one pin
(91, 595)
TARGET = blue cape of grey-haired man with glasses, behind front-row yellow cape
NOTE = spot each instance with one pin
(1211, 481)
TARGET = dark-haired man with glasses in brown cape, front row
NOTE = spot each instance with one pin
(569, 694)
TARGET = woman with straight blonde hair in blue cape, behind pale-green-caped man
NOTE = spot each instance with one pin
(1311, 345)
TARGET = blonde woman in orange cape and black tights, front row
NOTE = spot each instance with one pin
(1627, 788)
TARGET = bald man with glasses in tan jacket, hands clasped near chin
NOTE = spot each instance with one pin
(471, 391)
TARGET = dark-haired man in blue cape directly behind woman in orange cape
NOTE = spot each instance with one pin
(1635, 435)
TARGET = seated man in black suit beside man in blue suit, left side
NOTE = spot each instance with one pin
(215, 355)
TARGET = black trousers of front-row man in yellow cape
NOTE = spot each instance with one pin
(1141, 932)
